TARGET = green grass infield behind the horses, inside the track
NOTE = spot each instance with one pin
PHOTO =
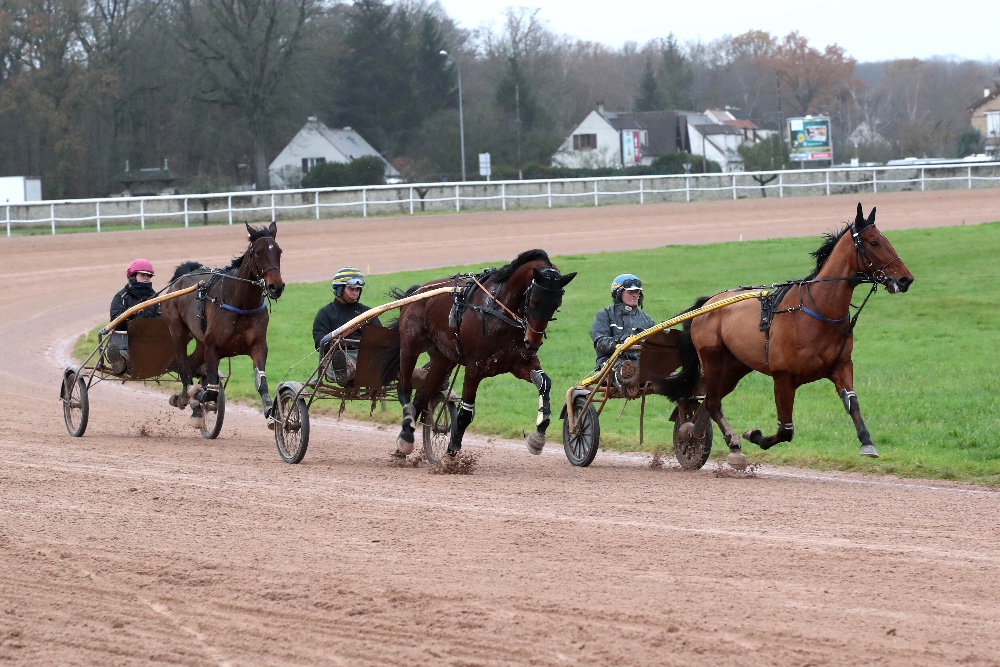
(926, 373)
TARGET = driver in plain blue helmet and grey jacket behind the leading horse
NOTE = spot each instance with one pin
(623, 318)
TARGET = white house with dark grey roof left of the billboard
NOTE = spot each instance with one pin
(619, 139)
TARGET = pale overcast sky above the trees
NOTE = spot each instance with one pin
(869, 30)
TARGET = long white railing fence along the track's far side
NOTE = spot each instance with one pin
(412, 199)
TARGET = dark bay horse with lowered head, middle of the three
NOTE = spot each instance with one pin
(494, 324)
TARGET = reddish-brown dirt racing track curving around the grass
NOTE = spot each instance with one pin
(141, 543)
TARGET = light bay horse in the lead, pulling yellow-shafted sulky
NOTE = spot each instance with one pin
(799, 333)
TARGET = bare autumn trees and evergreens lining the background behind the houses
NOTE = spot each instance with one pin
(217, 88)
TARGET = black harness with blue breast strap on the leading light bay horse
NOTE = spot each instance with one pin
(770, 300)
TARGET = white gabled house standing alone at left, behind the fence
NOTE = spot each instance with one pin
(316, 144)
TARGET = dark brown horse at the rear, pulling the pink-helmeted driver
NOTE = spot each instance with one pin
(226, 317)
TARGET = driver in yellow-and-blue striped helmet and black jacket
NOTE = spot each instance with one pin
(347, 286)
